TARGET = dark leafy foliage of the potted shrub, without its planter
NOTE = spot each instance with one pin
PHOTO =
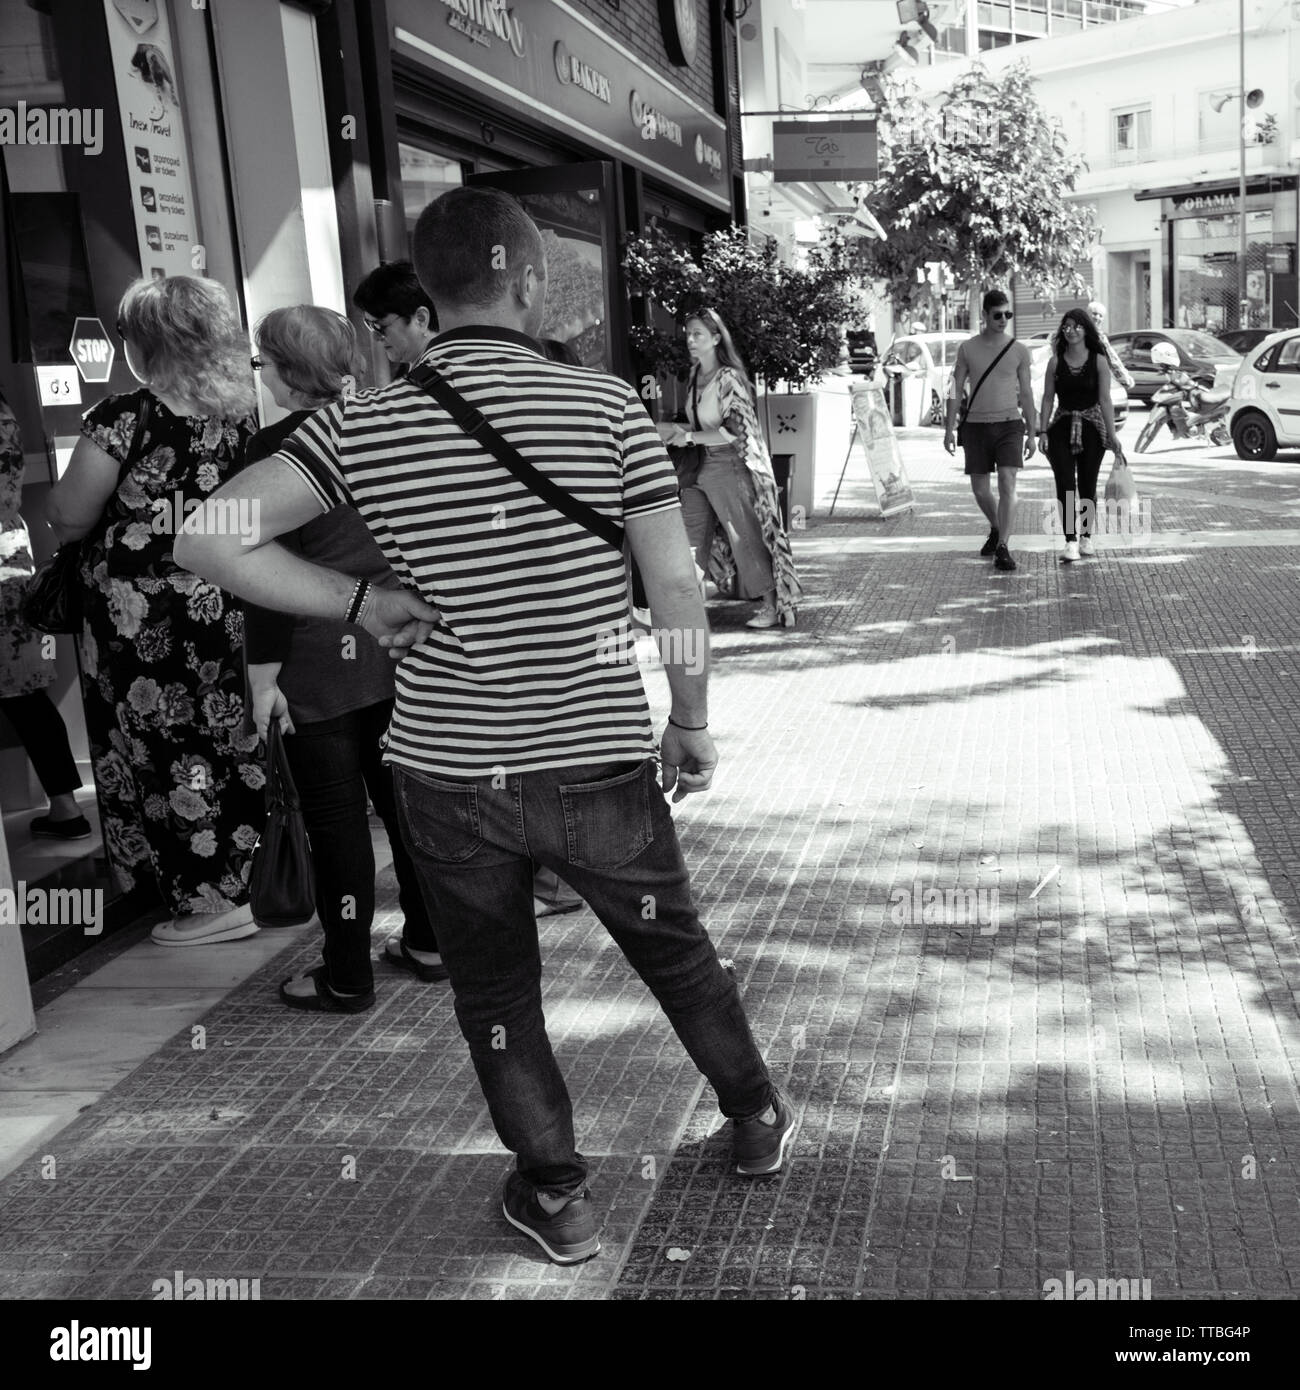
(786, 320)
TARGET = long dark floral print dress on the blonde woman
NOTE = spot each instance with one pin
(180, 785)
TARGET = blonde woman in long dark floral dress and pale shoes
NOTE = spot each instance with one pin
(179, 779)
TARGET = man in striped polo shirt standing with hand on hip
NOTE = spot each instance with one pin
(519, 735)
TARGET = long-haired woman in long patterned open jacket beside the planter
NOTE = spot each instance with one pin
(733, 489)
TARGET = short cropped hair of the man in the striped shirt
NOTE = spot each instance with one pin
(472, 243)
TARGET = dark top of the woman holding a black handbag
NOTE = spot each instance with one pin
(329, 668)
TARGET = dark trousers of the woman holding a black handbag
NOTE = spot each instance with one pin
(334, 764)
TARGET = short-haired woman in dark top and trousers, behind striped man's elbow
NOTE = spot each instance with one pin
(332, 687)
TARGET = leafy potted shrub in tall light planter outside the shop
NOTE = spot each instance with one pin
(788, 323)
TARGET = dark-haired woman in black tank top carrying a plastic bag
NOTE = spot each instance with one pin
(1077, 437)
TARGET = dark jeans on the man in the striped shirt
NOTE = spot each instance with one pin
(606, 831)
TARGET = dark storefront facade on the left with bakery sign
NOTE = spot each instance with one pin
(286, 149)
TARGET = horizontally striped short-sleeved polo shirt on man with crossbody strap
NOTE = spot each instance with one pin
(518, 676)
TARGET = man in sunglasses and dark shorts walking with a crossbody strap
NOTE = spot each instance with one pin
(999, 425)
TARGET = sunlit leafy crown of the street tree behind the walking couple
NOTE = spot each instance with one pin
(981, 181)
